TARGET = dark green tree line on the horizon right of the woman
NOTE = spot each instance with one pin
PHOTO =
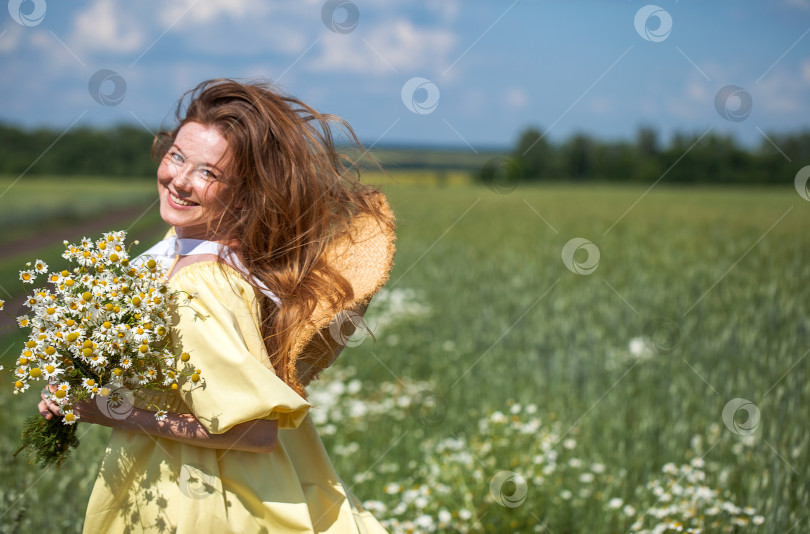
(709, 158)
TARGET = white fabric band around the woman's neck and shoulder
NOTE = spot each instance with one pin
(164, 252)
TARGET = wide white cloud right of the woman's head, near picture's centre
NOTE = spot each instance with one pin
(391, 46)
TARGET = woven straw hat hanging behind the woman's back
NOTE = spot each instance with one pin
(364, 257)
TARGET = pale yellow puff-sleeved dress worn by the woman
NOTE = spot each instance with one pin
(148, 484)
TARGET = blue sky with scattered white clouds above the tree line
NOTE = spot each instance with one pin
(496, 67)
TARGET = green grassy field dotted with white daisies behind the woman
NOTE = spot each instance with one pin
(506, 393)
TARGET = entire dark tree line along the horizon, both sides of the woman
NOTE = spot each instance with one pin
(713, 158)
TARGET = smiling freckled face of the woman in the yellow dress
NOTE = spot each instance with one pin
(191, 180)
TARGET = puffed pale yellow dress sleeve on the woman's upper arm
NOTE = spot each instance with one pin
(219, 331)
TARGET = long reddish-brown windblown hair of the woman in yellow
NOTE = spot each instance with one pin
(289, 193)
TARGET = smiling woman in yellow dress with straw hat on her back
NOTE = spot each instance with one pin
(258, 199)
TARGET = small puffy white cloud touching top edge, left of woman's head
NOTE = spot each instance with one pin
(105, 27)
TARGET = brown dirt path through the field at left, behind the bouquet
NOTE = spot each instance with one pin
(119, 219)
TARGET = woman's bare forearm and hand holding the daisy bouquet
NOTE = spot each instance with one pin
(252, 436)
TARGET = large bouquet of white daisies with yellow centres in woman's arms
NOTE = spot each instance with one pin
(98, 332)
